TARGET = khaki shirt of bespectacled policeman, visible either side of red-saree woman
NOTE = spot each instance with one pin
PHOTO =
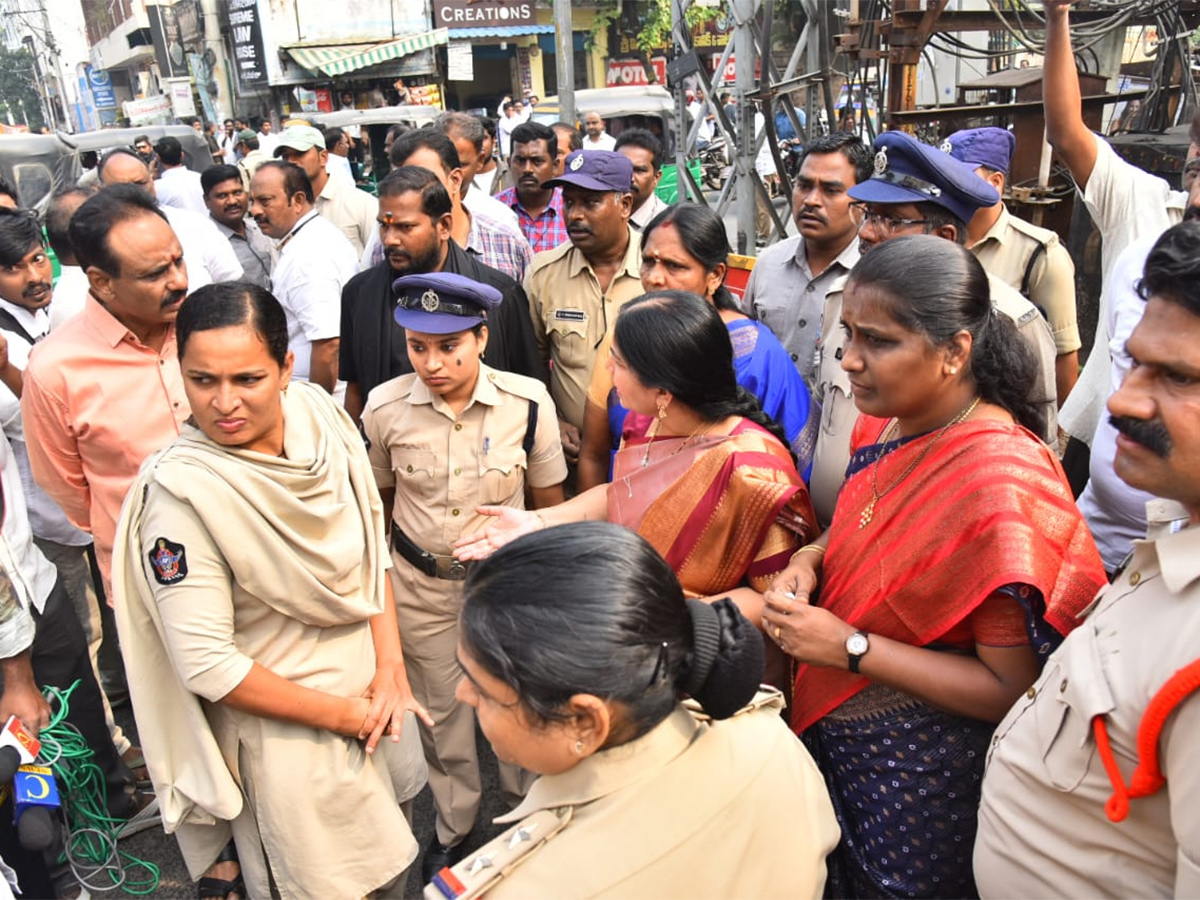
(838, 410)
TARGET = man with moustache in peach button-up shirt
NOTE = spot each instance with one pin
(105, 392)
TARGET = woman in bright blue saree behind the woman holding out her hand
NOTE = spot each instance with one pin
(685, 249)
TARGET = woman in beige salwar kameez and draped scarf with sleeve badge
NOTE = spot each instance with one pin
(257, 623)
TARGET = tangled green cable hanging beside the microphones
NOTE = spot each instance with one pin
(92, 849)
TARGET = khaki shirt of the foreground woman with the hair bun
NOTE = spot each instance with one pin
(693, 809)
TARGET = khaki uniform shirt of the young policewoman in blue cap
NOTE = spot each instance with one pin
(443, 466)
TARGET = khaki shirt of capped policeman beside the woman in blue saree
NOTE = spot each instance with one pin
(572, 316)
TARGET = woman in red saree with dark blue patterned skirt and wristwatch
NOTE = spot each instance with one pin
(956, 562)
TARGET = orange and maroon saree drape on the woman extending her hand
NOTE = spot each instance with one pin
(722, 511)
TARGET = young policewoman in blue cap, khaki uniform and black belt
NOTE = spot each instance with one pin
(453, 436)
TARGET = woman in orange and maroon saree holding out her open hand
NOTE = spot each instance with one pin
(703, 475)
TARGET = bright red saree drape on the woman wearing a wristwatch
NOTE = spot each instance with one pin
(988, 507)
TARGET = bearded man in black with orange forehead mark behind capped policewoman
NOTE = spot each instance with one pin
(416, 218)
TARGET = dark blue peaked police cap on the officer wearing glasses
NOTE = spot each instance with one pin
(910, 172)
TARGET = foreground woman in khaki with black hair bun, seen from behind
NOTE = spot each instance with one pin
(578, 649)
